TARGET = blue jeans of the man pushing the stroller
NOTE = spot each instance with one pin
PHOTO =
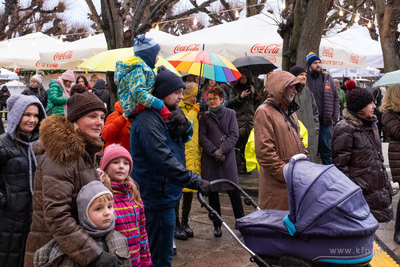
(160, 227)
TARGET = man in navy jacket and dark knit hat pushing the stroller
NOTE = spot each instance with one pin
(159, 168)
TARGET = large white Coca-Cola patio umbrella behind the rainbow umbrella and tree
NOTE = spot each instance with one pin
(255, 36)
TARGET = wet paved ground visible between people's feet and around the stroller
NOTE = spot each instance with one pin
(206, 250)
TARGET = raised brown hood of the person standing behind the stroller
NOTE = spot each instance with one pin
(276, 83)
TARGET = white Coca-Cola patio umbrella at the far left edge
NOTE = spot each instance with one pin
(23, 52)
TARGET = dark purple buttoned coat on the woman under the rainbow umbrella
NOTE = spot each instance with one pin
(219, 130)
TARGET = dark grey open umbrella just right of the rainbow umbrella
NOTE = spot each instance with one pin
(256, 64)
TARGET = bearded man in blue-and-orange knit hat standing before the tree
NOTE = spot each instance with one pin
(326, 96)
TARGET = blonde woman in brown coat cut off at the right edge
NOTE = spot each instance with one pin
(390, 109)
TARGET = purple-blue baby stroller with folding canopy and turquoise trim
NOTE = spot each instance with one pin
(328, 222)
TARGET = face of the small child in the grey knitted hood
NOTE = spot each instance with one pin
(101, 213)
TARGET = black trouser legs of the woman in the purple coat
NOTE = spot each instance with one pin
(236, 201)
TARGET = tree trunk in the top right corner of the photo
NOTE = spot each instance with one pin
(388, 16)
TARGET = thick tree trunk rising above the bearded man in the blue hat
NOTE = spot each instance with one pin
(311, 33)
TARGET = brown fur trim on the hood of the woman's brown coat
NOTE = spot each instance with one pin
(63, 143)
